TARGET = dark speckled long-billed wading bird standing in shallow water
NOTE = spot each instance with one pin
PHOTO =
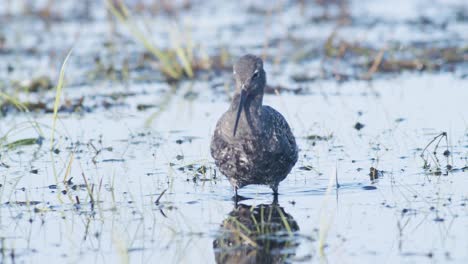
(262, 150)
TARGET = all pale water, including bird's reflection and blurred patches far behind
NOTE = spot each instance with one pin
(157, 198)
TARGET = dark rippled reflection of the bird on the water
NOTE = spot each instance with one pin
(256, 234)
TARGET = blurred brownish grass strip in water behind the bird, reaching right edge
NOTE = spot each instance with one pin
(369, 59)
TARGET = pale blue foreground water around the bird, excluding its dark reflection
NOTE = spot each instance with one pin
(411, 214)
